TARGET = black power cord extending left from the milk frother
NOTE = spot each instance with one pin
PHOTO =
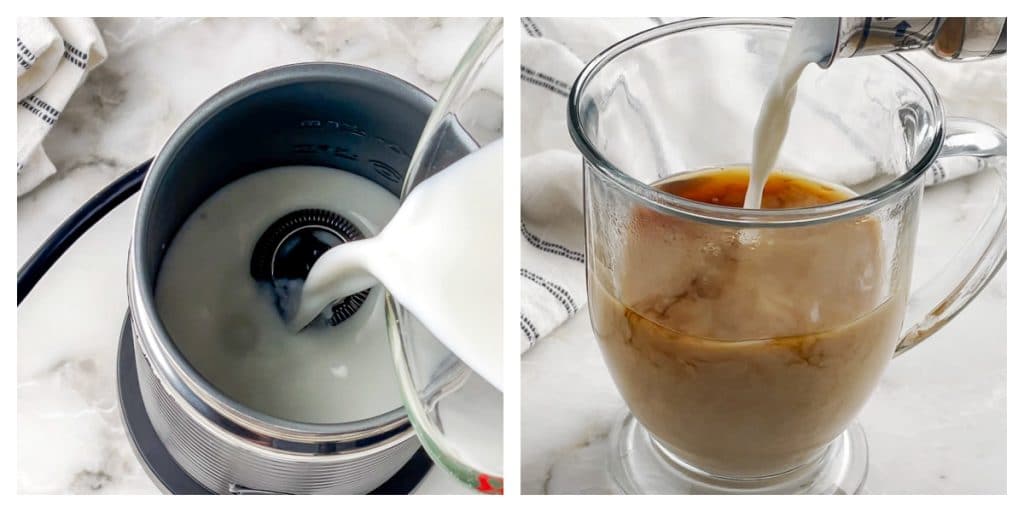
(76, 226)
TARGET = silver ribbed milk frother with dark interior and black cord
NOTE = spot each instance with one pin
(192, 438)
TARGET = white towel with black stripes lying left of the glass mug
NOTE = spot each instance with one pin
(552, 240)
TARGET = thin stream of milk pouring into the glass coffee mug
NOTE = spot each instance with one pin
(810, 41)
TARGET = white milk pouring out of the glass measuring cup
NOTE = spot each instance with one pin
(441, 257)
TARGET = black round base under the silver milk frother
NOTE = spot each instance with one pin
(167, 475)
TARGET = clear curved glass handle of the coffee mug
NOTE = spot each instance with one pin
(935, 305)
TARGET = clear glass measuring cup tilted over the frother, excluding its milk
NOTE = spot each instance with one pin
(456, 413)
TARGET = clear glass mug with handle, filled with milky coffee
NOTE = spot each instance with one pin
(745, 343)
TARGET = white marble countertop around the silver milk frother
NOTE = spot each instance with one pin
(71, 439)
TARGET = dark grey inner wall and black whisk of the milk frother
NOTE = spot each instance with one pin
(353, 119)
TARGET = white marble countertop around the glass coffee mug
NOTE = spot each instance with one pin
(937, 423)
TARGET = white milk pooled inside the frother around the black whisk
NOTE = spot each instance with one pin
(226, 323)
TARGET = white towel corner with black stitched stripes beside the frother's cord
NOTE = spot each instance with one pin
(54, 58)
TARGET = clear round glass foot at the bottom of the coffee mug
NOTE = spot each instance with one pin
(639, 465)
